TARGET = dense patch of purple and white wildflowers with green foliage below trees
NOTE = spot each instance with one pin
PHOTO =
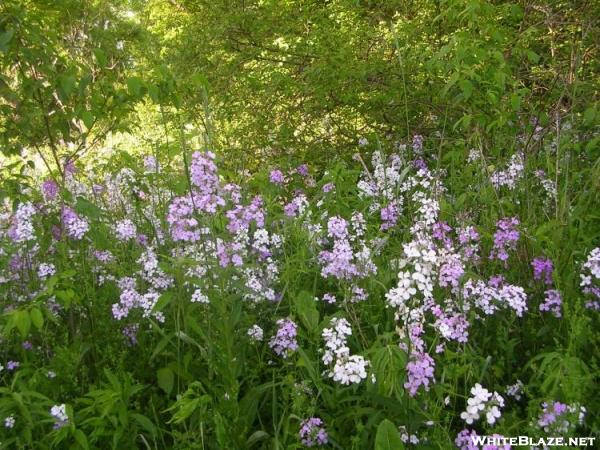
(381, 299)
